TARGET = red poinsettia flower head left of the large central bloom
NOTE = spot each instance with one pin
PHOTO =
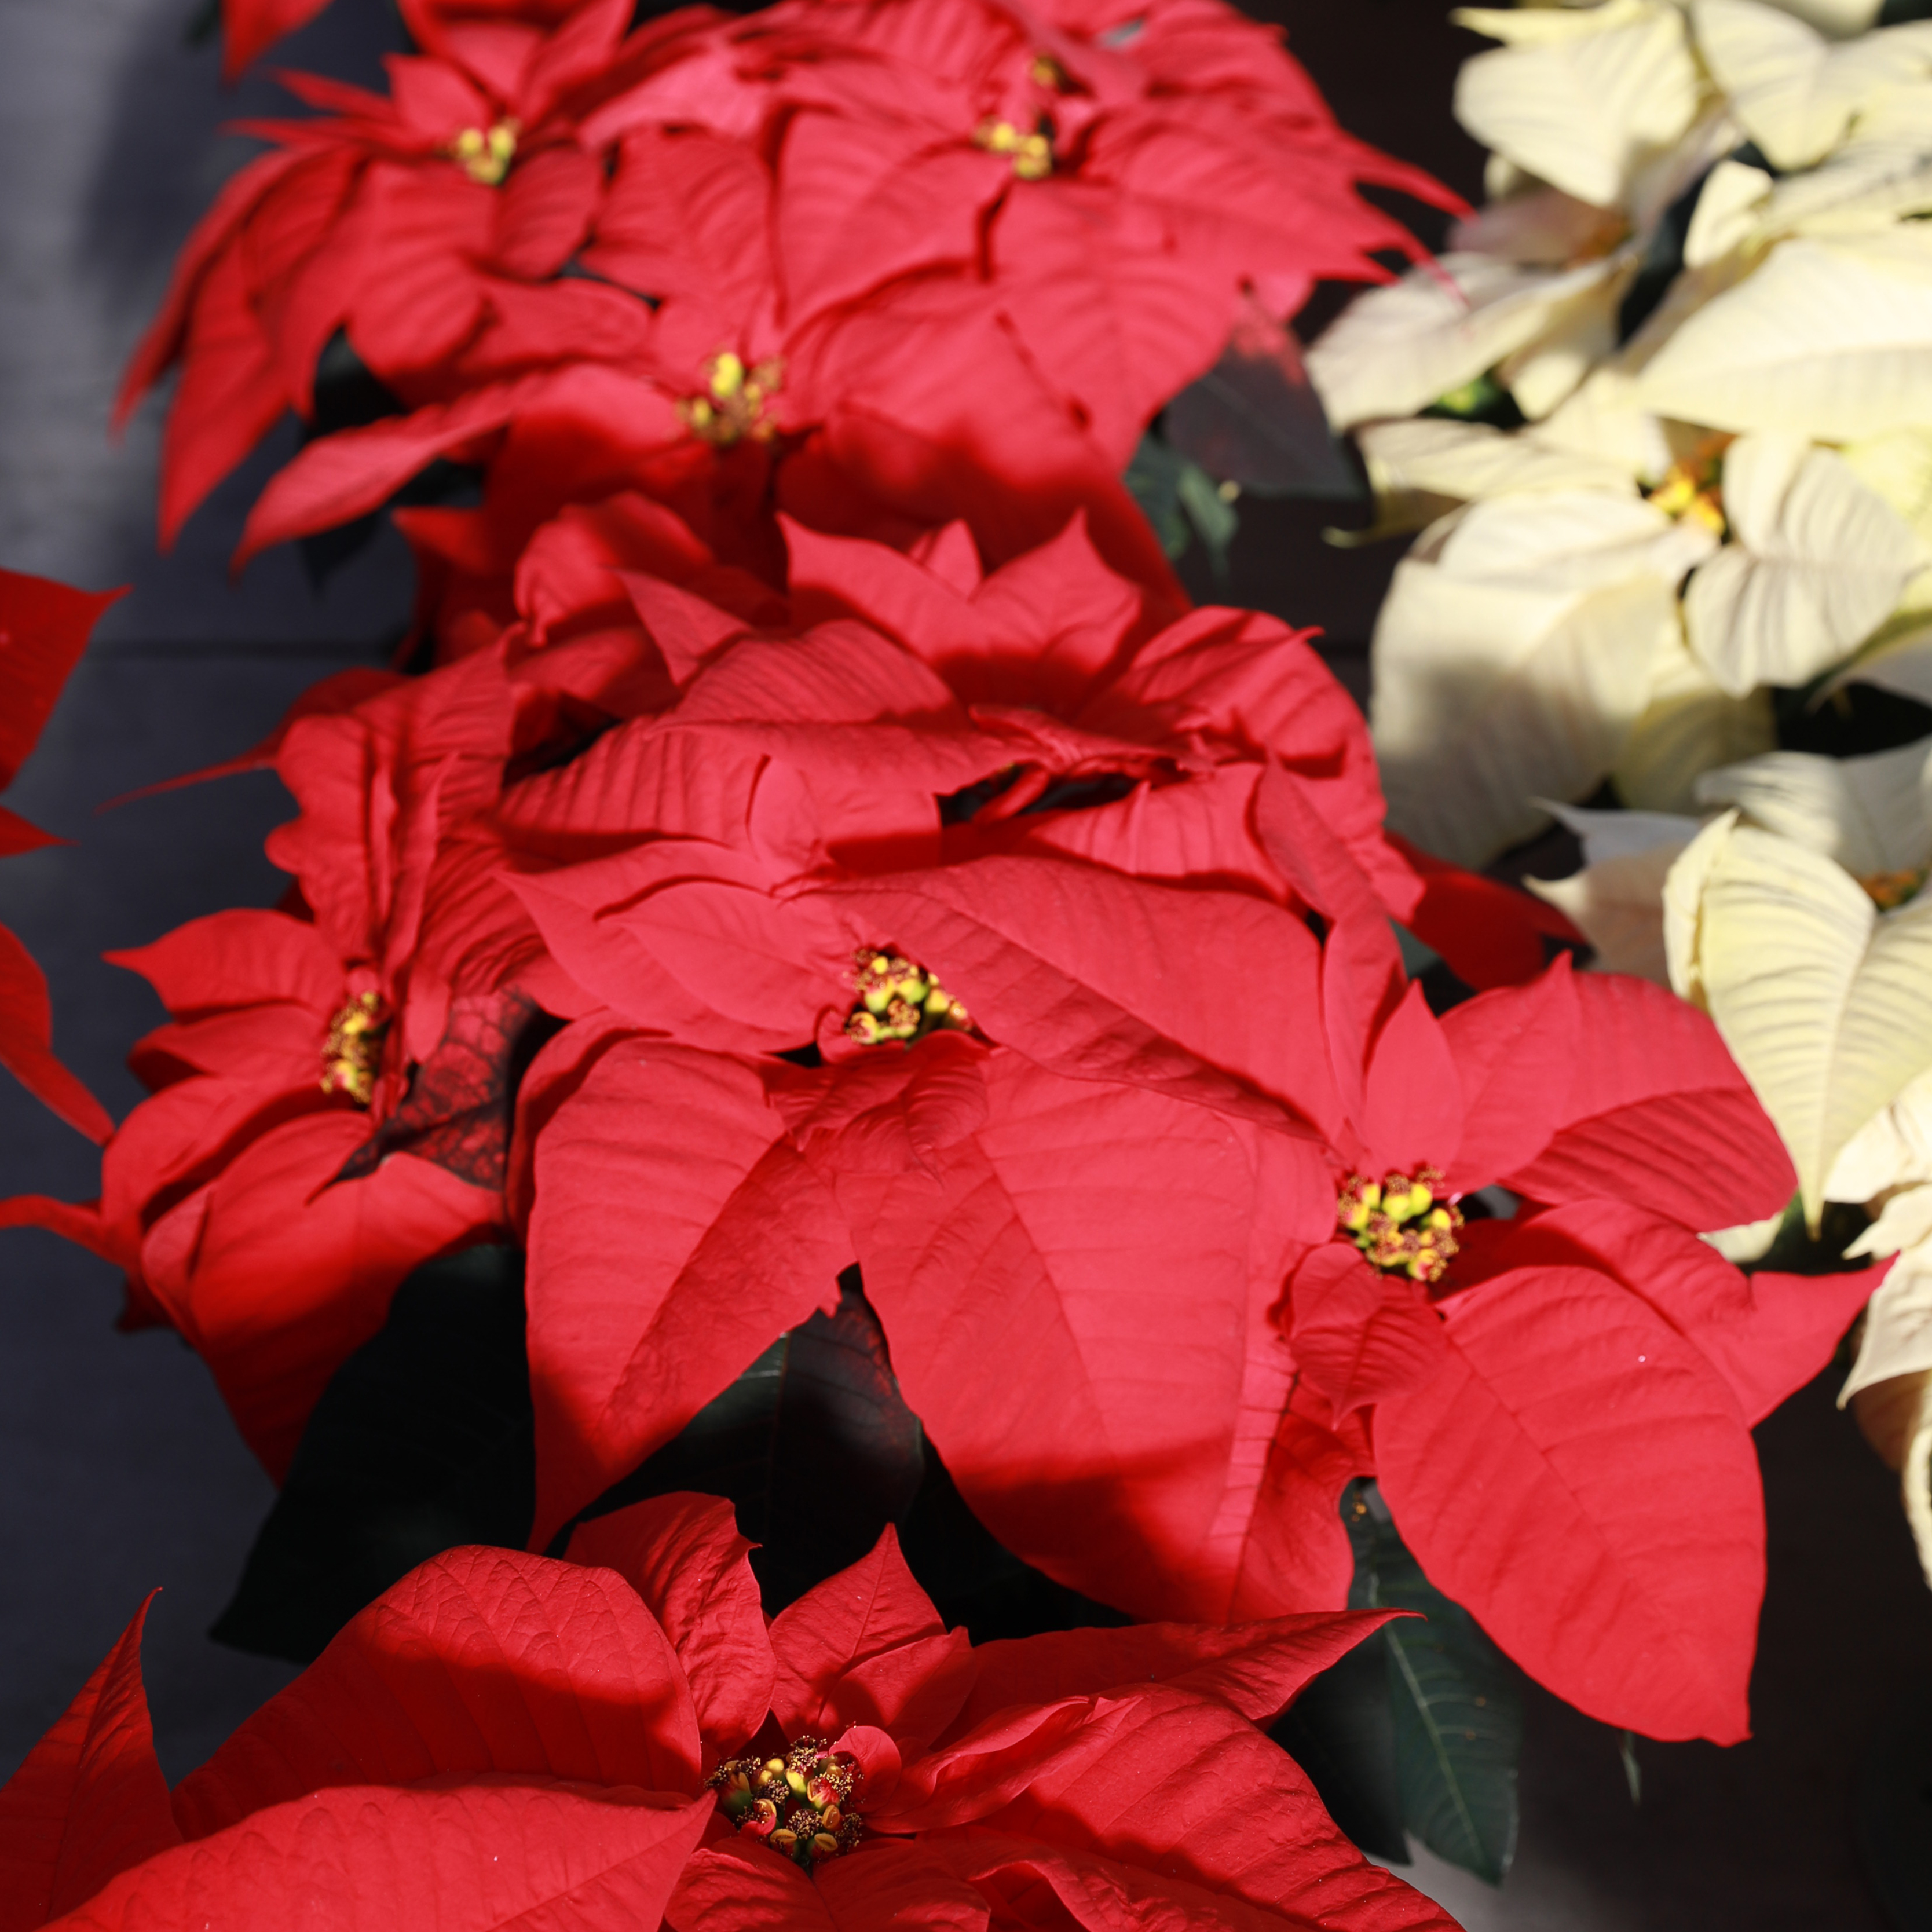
(333, 1094)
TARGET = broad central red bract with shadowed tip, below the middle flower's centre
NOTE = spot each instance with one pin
(1077, 1301)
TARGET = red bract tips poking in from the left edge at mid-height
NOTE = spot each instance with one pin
(43, 631)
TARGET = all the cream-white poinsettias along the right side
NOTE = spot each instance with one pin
(1664, 422)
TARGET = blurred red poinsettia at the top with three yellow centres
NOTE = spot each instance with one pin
(836, 241)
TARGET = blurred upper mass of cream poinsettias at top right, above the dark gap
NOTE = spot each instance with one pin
(1680, 389)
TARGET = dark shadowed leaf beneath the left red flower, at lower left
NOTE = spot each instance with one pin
(422, 1442)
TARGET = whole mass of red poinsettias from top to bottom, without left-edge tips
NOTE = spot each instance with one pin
(826, 836)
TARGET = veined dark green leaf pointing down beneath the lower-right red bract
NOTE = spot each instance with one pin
(1458, 1713)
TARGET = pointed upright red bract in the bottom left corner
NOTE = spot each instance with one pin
(90, 1800)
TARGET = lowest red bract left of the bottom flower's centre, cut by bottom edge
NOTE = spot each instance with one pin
(474, 1860)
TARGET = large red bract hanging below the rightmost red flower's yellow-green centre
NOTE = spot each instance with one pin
(1581, 1481)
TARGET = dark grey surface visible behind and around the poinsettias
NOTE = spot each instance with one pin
(121, 1469)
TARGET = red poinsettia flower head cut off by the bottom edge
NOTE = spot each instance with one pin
(503, 1736)
